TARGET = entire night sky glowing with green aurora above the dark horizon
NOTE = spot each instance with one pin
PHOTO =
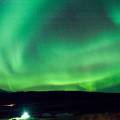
(60, 45)
